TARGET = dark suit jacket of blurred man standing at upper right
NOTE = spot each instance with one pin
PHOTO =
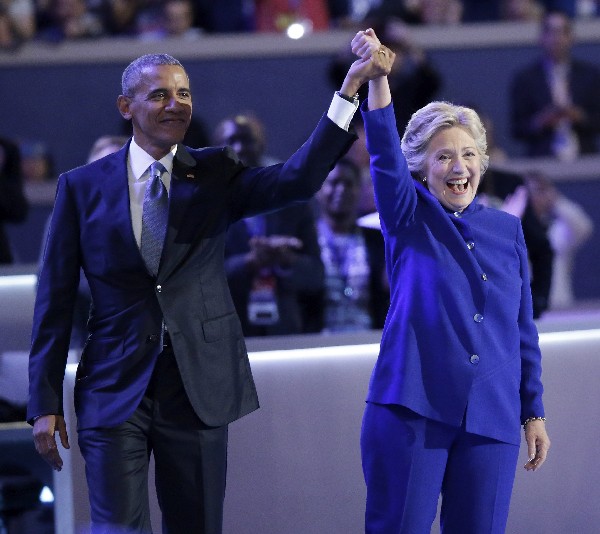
(530, 94)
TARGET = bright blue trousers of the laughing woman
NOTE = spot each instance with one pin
(409, 460)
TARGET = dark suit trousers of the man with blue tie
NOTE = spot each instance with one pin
(190, 463)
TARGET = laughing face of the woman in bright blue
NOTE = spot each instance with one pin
(453, 168)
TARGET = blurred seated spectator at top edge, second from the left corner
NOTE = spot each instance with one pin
(69, 20)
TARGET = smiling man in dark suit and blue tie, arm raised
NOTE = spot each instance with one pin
(165, 368)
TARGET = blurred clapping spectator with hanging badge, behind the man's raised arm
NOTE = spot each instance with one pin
(272, 261)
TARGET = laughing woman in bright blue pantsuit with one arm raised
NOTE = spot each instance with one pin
(459, 368)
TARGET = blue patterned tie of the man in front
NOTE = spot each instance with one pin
(154, 218)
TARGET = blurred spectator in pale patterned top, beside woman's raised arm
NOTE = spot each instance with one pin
(356, 294)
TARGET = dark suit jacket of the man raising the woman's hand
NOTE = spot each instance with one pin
(91, 227)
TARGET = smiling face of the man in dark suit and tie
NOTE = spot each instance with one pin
(160, 110)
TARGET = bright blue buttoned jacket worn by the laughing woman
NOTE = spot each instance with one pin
(459, 339)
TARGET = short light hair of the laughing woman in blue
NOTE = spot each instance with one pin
(432, 118)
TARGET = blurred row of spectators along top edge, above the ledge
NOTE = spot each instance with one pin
(58, 20)
